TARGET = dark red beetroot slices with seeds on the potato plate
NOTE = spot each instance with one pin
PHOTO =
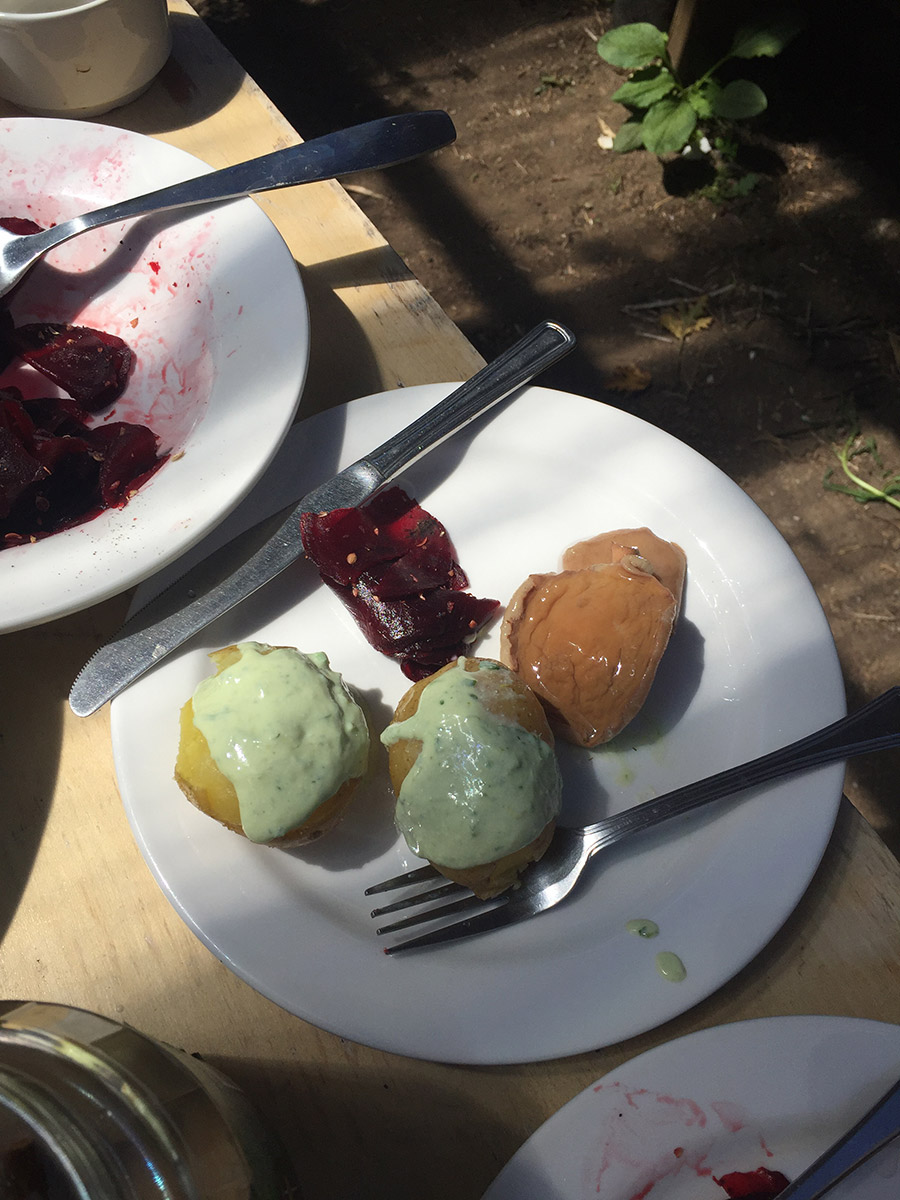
(394, 567)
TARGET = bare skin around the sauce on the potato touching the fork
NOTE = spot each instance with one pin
(506, 695)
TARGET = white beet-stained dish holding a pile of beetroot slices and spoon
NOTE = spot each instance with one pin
(212, 305)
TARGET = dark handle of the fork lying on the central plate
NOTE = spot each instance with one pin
(875, 727)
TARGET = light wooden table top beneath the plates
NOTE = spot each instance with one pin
(82, 920)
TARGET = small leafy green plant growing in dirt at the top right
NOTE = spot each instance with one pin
(669, 116)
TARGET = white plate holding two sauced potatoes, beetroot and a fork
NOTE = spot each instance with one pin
(751, 668)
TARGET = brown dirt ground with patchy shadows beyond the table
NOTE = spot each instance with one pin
(527, 218)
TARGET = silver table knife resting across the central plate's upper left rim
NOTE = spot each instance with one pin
(217, 585)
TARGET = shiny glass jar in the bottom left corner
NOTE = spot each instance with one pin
(93, 1111)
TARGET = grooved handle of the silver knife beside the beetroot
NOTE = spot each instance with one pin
(518, 367)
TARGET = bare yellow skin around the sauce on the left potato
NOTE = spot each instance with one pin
(212, 793)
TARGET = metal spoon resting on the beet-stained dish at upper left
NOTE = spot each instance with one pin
(375, 145)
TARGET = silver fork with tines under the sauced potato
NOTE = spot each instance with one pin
(547, 884)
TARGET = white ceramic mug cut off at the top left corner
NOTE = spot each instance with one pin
(81, 58)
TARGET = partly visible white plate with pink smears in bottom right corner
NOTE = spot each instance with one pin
(775, 1094)
